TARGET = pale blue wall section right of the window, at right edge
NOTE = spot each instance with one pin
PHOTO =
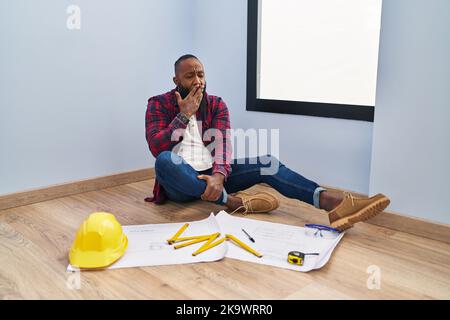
(411, 149)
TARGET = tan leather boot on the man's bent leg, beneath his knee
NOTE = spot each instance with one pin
(260, 202)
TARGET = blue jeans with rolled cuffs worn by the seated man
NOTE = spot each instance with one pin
(181, 184)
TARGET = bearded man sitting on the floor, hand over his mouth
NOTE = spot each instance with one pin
(189, 170)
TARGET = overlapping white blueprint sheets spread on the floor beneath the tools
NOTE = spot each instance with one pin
(147, 244)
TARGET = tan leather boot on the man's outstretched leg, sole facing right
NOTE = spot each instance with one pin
(353, 209)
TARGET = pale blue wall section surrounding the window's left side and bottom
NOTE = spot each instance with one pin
(331, 151)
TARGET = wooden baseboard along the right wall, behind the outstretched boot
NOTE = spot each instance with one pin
(404, 223)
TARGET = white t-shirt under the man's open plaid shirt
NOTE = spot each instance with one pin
(192, 149)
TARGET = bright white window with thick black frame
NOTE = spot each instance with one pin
(316, 58)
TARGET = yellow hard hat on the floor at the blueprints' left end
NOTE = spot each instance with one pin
(99, 242)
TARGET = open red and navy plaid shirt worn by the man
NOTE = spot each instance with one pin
(161, 121)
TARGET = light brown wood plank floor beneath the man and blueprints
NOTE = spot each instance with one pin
(35, 239)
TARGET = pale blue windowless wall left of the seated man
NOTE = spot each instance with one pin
(72, 103)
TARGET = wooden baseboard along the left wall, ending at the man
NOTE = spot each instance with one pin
(70, 188)
